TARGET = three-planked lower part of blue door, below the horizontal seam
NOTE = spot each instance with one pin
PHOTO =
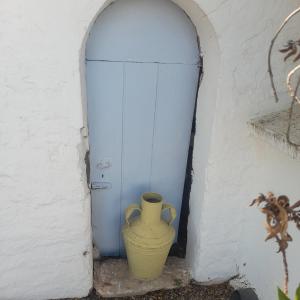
(140, 118)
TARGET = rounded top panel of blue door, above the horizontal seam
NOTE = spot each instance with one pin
(143, 31)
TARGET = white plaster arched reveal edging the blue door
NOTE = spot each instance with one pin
(206, 103)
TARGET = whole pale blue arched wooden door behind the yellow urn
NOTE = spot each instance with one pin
(142, 69)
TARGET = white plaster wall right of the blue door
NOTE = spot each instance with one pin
(228, 235)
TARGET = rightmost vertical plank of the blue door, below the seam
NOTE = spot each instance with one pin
(176, 95)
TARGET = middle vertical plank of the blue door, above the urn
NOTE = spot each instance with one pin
(138, 119)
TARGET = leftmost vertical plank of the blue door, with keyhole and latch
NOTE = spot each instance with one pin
(105, 94)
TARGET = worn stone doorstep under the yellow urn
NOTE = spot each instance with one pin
(112, 278)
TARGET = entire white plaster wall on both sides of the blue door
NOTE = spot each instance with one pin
(45, 232)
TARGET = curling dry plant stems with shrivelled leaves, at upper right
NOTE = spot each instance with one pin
(291, 50)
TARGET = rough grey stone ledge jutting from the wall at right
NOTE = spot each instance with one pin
(272, 129)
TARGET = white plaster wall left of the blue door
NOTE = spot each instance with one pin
(45, 235)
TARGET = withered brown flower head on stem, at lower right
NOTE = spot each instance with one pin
(279, 212)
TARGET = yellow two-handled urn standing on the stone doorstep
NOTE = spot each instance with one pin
(148, 238)
